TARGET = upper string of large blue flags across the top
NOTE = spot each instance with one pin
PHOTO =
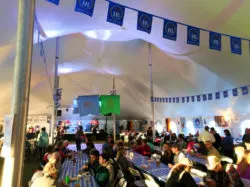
(116, 14)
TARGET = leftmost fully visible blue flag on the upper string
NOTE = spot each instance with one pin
(116, 13)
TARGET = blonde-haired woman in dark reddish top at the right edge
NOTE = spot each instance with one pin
(243, 166)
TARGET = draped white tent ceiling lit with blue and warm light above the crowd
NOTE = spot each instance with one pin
(87, 65)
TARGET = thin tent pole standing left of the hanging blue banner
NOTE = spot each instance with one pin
(56, 86)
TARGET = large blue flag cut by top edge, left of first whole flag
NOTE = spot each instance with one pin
(85, 6)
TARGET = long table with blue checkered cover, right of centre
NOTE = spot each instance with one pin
(159, 172)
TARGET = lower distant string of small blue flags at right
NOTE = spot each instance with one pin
(203, 97)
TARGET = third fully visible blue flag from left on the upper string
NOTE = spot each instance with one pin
(170, 30)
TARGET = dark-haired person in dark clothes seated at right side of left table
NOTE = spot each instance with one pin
(93, 162)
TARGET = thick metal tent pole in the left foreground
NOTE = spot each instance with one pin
(15, 140)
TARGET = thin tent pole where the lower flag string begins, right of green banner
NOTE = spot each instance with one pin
(151, 86)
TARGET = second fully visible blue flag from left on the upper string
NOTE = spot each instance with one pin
(144, 22)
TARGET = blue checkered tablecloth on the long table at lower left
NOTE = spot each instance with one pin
(72, 171)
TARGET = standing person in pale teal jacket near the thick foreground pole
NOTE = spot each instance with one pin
(43, 142)
